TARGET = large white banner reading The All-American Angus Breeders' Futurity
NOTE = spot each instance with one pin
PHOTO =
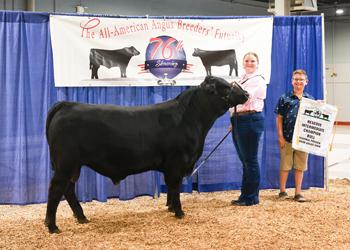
(106, 51)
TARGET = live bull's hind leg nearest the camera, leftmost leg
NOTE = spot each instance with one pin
(58, 185)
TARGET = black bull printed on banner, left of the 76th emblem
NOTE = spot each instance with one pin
(111, 58)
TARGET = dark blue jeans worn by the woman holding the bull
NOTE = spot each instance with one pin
(249, 130)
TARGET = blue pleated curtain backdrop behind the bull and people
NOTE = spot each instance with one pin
(27, 92)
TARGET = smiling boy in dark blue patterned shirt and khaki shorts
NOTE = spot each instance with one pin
(287, 111)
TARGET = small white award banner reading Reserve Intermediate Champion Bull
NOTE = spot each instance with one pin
(313, 128)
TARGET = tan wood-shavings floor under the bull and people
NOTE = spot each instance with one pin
(211, 222)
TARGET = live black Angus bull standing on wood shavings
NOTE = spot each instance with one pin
(118, 141)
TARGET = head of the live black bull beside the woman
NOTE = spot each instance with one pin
(233, 94)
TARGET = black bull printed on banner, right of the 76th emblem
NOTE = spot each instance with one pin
(217, 58)
